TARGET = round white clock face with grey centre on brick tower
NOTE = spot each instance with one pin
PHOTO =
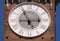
(29, 19)
